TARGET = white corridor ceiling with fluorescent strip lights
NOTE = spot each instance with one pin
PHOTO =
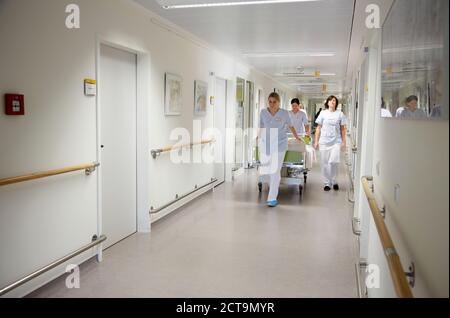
(307, 27)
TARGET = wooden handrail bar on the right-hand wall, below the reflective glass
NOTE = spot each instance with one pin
(395, 266)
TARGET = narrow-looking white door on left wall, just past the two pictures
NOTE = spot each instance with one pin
(220, 124)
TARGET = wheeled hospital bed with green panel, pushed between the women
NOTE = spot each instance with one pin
(297, 162)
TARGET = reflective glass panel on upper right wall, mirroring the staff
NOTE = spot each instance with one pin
(413, 60)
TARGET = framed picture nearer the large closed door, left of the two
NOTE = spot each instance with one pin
(173, 95)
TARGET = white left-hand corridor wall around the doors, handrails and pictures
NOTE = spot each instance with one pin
(44, 220)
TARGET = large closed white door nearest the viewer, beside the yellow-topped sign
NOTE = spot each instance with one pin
(117, 89)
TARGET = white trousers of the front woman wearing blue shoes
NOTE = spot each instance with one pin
(270, 171)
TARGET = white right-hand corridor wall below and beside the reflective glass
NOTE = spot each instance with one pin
(414, 155)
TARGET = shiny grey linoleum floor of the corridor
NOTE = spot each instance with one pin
(227, 243)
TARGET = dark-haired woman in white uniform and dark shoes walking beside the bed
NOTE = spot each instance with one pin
(330, 136)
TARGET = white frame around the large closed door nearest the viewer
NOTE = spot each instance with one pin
(143, 68)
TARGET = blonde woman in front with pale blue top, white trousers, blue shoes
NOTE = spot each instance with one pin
(273, 144)
